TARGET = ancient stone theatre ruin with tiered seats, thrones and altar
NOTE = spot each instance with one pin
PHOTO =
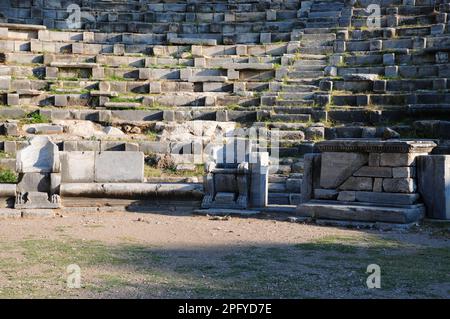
(334, 111)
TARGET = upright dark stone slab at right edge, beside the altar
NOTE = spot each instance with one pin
(433, 177)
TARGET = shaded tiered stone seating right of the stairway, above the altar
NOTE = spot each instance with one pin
(397, 71)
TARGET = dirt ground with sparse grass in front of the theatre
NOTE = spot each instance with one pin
(135, 255)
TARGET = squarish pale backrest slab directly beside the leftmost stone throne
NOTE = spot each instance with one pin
(77, 167)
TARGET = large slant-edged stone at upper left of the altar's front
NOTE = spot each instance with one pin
(337, 167)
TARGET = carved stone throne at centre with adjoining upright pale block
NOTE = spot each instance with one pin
(236, 184)
